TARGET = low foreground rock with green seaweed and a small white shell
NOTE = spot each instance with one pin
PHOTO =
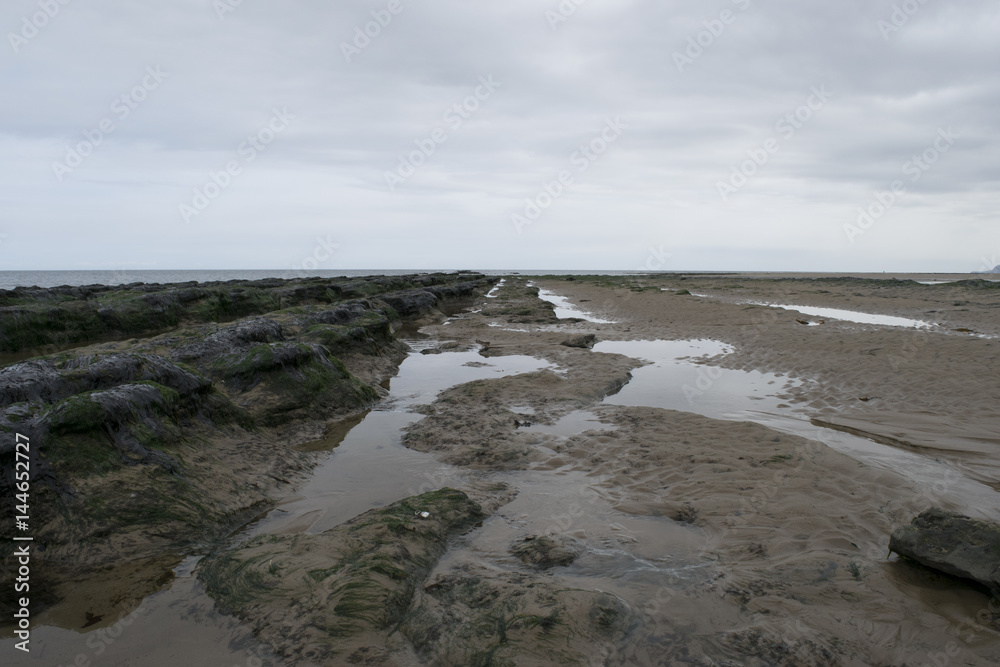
(314, 597)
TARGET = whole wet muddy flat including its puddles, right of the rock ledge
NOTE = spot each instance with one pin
(660, 470)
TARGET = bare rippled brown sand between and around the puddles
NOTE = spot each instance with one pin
(796, 532)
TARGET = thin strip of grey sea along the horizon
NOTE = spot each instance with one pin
(12, 279)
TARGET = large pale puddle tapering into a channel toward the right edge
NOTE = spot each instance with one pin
(675, 382)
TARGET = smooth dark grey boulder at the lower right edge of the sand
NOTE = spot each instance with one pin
(953, 544)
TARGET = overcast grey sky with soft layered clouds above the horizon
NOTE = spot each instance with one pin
(519, 134)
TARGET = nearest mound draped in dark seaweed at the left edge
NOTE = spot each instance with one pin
(96, 412)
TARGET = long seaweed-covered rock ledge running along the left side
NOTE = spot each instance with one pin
(146, 446)
